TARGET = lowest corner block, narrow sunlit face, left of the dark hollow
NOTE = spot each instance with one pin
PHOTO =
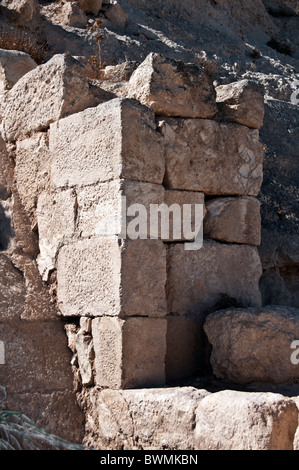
(129, 353)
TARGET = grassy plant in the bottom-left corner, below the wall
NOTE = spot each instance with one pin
(18, 432)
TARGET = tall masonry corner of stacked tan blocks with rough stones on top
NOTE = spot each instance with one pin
(145, 299)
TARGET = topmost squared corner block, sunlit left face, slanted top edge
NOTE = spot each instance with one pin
(117, 139)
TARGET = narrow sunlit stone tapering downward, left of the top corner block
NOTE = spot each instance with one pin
(32, 170)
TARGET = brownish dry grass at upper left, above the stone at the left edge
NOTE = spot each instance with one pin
(20, 39)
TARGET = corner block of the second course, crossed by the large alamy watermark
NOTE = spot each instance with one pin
(110, 208)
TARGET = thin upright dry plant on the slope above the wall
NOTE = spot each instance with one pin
(95, 63)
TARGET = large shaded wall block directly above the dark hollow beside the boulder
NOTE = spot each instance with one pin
(212, 277)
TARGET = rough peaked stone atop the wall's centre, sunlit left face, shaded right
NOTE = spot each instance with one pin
(172, 88)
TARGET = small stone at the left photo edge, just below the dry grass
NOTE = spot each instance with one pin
(13, 65)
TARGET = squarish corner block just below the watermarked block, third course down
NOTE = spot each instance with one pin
(103, 276)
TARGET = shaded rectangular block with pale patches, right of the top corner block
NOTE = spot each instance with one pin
(215, 158)
